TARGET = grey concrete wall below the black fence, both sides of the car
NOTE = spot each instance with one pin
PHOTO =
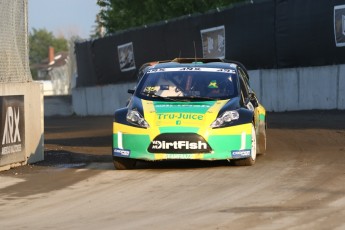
(279, 90)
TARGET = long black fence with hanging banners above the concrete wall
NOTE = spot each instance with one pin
(268, 34)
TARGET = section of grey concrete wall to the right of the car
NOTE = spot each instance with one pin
(300, 88)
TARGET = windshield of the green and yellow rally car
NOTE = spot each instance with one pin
(197, 84)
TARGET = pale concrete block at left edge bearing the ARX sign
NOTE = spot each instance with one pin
(31, 144)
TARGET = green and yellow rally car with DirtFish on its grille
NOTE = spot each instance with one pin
(202, 109)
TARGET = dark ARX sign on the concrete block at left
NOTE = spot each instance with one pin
(12, 126)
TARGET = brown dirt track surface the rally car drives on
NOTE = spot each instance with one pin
(298, 184)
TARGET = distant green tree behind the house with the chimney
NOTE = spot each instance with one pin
(39, 42)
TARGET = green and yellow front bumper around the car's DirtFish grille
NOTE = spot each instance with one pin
(226, 143)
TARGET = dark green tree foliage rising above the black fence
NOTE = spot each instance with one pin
(122, 14)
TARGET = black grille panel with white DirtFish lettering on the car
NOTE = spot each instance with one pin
(179, 143)
